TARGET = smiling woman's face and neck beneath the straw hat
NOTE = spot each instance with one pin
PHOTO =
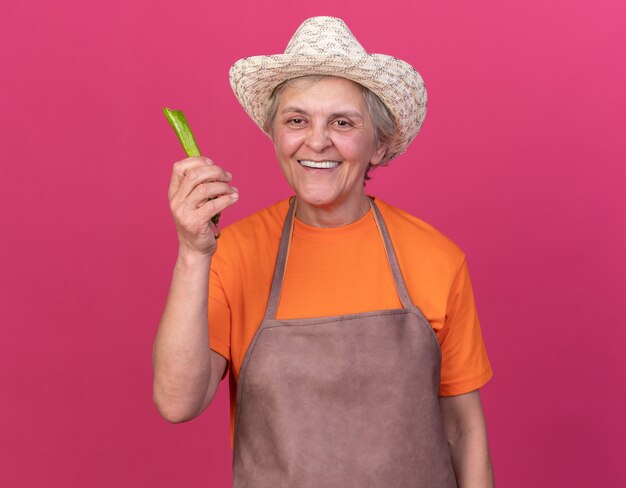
(324, 140)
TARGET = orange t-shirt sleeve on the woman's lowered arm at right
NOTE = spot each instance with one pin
(465, 365)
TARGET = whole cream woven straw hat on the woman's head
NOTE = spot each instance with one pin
(325, 46)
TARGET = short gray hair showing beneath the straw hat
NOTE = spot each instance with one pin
(385, 127)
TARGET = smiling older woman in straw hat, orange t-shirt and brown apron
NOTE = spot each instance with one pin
(347, 326)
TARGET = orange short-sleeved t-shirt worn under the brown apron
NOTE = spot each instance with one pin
(340, 271)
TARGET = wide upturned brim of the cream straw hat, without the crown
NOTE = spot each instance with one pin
(396, 83)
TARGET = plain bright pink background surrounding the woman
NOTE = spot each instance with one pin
(520, 161)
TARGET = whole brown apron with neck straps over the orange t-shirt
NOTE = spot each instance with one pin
(346, 401)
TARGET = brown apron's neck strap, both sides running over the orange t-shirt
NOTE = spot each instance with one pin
(283, 252)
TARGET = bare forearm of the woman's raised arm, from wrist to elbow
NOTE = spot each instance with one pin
(181, 356)
